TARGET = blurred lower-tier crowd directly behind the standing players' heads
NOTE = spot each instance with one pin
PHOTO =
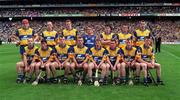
(169, 30)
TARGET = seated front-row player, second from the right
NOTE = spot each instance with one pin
(130, 56)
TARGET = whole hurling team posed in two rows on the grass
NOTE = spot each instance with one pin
(99, 59)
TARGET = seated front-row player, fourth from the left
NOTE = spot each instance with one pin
(79, 60)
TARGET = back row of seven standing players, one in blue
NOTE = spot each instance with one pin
(70, 34)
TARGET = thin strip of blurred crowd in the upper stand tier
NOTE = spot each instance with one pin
(42, 12)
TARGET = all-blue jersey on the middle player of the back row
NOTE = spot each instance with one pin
(89, 40)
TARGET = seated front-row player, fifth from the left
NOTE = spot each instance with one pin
(97, 54)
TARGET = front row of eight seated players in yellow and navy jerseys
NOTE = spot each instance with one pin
(80, 57)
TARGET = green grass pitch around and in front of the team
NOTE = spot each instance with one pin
(9, 90)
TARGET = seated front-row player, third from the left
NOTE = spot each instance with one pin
(63, 61)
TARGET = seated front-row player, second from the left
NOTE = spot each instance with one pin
(45, 55)
